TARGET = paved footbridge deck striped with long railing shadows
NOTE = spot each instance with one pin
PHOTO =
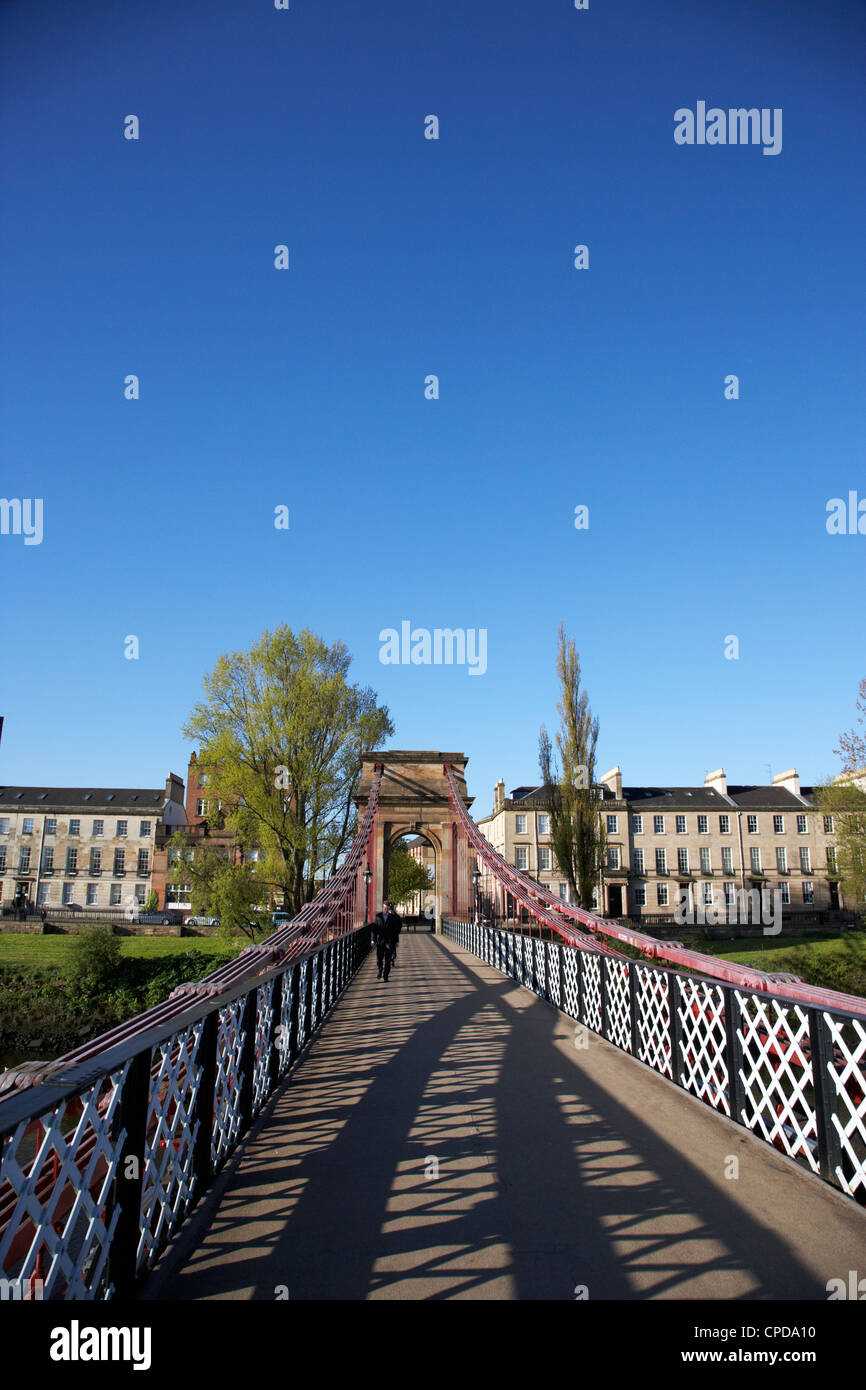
(557, 1167)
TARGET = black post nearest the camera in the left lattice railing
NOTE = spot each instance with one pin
(133, 1115)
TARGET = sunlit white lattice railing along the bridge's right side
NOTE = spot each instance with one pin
(792, 1074)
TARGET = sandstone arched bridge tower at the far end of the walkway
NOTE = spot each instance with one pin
(414, 801)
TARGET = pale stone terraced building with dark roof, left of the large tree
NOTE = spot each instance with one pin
(84, 847)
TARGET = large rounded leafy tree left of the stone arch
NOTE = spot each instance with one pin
(281, 735)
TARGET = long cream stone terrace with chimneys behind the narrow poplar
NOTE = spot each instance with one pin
(697, 849)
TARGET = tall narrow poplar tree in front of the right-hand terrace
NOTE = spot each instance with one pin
(568, 774)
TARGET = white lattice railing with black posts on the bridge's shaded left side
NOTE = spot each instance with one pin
(102, 1164)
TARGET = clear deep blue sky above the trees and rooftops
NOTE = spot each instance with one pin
(411, 256)
